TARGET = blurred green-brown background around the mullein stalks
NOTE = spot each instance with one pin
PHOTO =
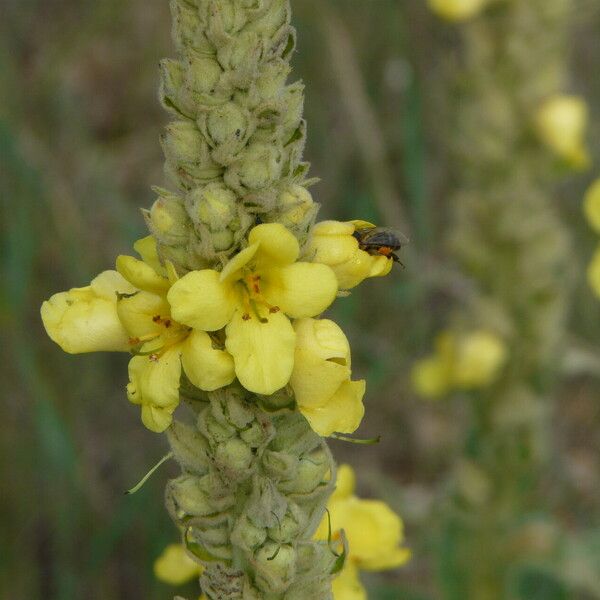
(79, 127)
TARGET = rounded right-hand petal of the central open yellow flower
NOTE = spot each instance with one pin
(300, 290)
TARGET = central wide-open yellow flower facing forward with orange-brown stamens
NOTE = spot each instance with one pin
(253, 297)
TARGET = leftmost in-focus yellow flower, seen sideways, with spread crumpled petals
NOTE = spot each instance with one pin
(128, 310)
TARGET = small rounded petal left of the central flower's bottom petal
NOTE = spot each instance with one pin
(206, 367)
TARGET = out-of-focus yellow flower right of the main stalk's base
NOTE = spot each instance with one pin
(374, 532)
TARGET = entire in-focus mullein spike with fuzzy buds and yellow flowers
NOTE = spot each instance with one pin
(222, 314)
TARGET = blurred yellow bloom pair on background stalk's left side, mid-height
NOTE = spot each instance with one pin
(467, 361)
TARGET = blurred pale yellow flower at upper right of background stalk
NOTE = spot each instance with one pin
(561, 123)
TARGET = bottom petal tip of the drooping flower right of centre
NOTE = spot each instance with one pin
(343, 413)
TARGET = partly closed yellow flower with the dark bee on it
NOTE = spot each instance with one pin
(333, 244)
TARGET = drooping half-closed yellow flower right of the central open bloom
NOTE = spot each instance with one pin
(324, 393)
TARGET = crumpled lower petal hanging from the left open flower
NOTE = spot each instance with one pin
(154, 384)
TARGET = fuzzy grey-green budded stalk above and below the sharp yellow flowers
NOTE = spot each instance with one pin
(255, 478)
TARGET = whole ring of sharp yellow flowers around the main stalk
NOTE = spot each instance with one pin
(254, 320)
